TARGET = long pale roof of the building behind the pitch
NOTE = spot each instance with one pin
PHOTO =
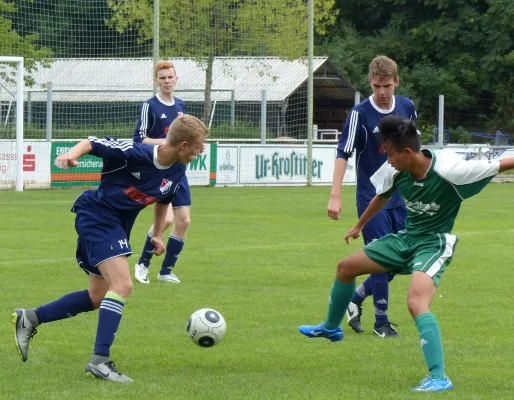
(131, 79)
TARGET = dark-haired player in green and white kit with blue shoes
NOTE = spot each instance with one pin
(433, 186)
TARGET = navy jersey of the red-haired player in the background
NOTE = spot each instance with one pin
(156, 117)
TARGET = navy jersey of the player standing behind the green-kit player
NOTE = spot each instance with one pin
(361, 135)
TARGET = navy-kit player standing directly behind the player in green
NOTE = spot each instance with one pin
(360, 135)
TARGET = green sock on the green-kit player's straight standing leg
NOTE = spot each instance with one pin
(430, 340)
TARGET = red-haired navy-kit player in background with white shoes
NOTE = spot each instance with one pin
(156, 115)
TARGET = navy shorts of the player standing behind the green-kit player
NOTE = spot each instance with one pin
(386, 221)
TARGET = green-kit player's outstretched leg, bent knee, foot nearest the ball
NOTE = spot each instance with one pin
(341, 294)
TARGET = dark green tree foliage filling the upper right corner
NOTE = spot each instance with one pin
(463, 49)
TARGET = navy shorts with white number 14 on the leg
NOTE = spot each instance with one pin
(99, 240)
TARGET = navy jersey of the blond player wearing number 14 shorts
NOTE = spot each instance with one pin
(131, 180)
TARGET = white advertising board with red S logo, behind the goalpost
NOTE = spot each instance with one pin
(36, 165)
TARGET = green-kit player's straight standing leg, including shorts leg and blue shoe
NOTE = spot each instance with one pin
(431, 260)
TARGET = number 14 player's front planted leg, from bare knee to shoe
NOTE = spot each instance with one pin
(116, 285)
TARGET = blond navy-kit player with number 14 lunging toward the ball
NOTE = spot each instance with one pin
(134, 176)
